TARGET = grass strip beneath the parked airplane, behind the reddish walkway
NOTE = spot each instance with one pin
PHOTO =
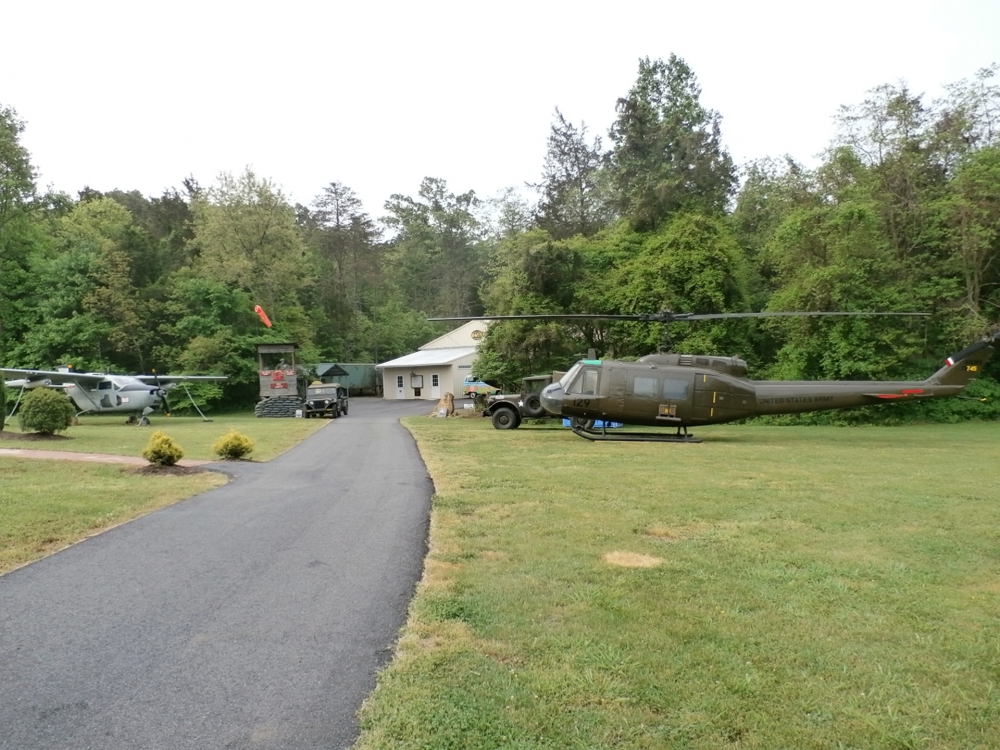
(108, 434)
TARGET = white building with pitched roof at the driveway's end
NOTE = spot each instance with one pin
(436, 368)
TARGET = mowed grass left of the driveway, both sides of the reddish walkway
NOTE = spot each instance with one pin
(47, 504)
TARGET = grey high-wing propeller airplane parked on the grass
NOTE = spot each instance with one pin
(136, 396)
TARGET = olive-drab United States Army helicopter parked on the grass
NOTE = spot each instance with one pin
(679, 391)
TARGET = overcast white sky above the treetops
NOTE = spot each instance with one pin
(377, 95)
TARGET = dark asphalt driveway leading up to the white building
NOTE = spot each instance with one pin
(252, 616)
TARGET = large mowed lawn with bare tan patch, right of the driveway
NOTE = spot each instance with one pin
(772, 587)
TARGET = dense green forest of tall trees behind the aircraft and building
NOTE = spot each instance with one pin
(901, 214)
